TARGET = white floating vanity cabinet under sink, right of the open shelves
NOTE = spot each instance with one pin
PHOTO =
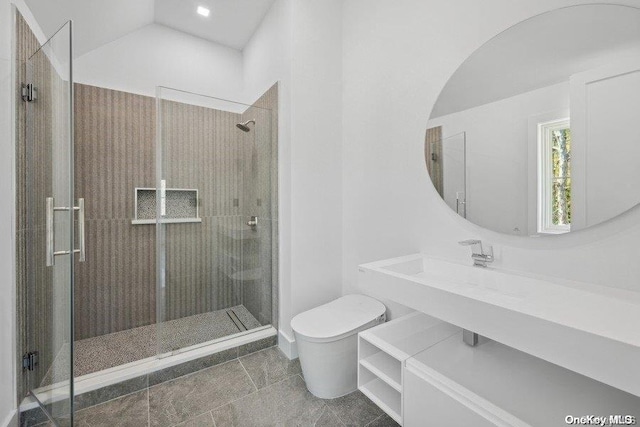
(495, 385)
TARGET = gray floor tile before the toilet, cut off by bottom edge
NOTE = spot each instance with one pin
(286, 403)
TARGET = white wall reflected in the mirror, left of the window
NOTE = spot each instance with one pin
(497, 136)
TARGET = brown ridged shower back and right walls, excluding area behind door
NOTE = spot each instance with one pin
(115, 153)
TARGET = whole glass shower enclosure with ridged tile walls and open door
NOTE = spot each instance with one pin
(145, 225)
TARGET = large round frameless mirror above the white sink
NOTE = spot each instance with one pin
(538, 131)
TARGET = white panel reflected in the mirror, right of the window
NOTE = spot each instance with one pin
(605, 149)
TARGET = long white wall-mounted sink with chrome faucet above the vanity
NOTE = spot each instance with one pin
(591, 329)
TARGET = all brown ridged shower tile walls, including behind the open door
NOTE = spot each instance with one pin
(115, 150)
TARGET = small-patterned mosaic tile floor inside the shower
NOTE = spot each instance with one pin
(107, 351)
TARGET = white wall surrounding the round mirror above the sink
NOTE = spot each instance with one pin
(398, 55)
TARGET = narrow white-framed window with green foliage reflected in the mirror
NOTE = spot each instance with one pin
(554, 177)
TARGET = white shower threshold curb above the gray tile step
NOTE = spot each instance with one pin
(57, 392)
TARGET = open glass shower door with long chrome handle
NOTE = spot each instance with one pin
(50, 214)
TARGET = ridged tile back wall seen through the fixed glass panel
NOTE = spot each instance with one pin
(201, 151)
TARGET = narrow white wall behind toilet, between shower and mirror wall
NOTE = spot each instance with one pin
(316, 154)
